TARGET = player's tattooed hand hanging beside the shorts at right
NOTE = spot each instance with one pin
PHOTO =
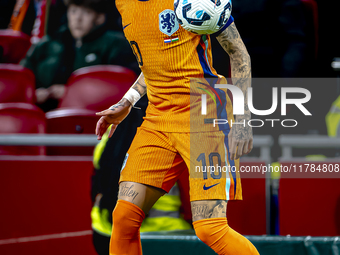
(240, 139)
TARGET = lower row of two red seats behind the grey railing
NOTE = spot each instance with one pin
(24, 118)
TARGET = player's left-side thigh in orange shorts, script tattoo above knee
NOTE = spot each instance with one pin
(150, 169)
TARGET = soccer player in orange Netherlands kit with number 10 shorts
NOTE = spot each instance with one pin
(165, 145)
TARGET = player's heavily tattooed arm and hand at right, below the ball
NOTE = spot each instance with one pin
(241, 135)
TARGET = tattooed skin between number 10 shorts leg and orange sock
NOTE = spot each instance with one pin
(208, 209)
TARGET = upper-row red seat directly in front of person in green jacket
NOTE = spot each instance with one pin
(97, 87)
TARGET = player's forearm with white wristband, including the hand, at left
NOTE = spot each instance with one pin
(118, 112)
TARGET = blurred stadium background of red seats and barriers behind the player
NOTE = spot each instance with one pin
(63, 60)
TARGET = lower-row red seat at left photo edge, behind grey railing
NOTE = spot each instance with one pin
(21, 118)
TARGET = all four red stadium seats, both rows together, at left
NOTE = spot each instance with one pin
(88, 90)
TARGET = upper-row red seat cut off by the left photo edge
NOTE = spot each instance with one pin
(17, 84)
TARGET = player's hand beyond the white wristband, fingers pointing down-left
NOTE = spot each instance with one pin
(114, 115)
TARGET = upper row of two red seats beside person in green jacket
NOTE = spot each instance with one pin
(94, 88)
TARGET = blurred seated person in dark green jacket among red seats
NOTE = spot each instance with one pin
(85, 41)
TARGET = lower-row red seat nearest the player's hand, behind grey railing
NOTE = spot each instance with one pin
(71, 121)
